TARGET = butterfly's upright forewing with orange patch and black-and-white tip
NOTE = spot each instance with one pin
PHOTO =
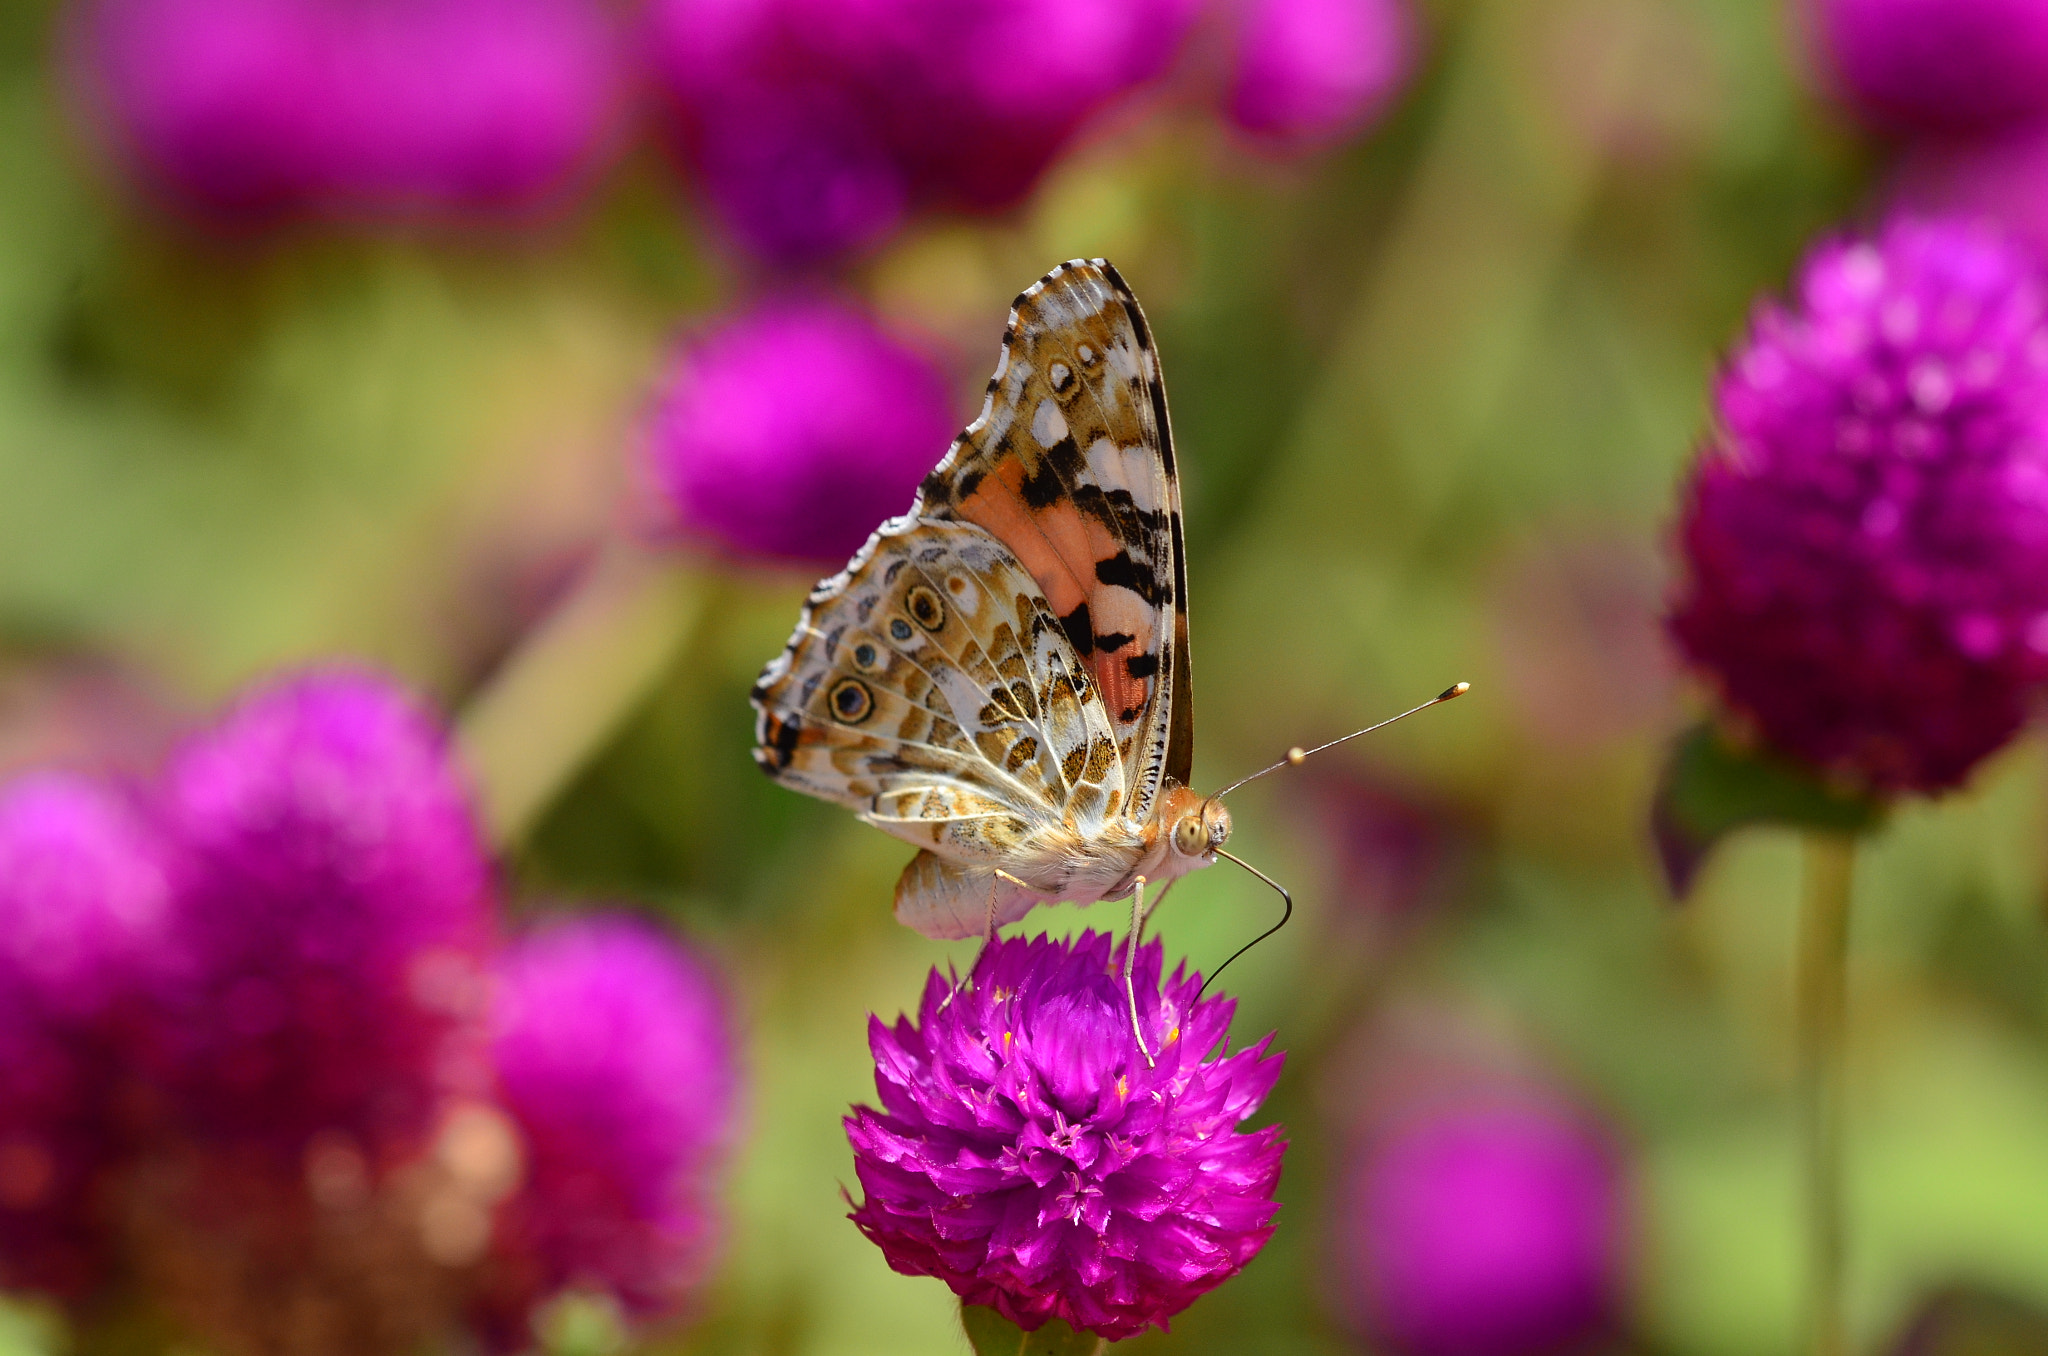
(1070, 466)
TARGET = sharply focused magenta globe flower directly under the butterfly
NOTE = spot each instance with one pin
(1027, 1154)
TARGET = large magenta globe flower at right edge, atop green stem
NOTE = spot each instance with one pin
(1867, 536)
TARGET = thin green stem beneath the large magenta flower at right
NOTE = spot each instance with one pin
(1824, 954)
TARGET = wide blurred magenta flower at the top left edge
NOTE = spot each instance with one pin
(253, 110)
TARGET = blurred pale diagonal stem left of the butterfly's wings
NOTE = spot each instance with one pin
(572, 681)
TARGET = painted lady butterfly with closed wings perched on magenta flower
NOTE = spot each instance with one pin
(1000, 677)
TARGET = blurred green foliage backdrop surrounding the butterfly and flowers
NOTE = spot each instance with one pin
(1433, 394)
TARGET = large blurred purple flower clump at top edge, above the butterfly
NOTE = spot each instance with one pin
(816, 126)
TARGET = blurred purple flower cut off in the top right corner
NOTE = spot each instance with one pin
(1938, 67)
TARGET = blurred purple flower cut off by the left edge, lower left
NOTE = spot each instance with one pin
(83, 908)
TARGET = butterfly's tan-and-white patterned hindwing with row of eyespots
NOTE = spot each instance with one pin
(933, 691)
